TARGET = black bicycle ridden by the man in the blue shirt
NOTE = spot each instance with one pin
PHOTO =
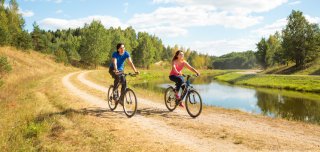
(128, 100)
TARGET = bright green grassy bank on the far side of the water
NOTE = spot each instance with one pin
(292, 82)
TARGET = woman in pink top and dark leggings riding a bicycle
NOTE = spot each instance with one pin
(176, 75)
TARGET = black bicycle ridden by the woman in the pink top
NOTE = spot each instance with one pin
(193, 99)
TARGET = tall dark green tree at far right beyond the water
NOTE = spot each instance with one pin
(299, 39)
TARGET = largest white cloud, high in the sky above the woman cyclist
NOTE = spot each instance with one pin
(190, 16)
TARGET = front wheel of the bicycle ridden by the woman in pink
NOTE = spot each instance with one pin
(193, 103)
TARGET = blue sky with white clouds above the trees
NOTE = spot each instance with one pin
(213, 27)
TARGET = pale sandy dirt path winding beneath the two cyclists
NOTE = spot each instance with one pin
(216, 131)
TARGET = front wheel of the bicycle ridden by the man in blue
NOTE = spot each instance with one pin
(130, 103)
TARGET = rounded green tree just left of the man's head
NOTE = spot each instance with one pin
(94, 44)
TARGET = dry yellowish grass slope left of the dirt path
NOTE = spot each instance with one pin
(37, 113)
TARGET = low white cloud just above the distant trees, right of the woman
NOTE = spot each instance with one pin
(220, 47)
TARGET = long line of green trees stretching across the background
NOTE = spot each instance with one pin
(93, 44)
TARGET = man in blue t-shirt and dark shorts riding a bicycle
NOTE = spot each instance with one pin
(117, 66)
